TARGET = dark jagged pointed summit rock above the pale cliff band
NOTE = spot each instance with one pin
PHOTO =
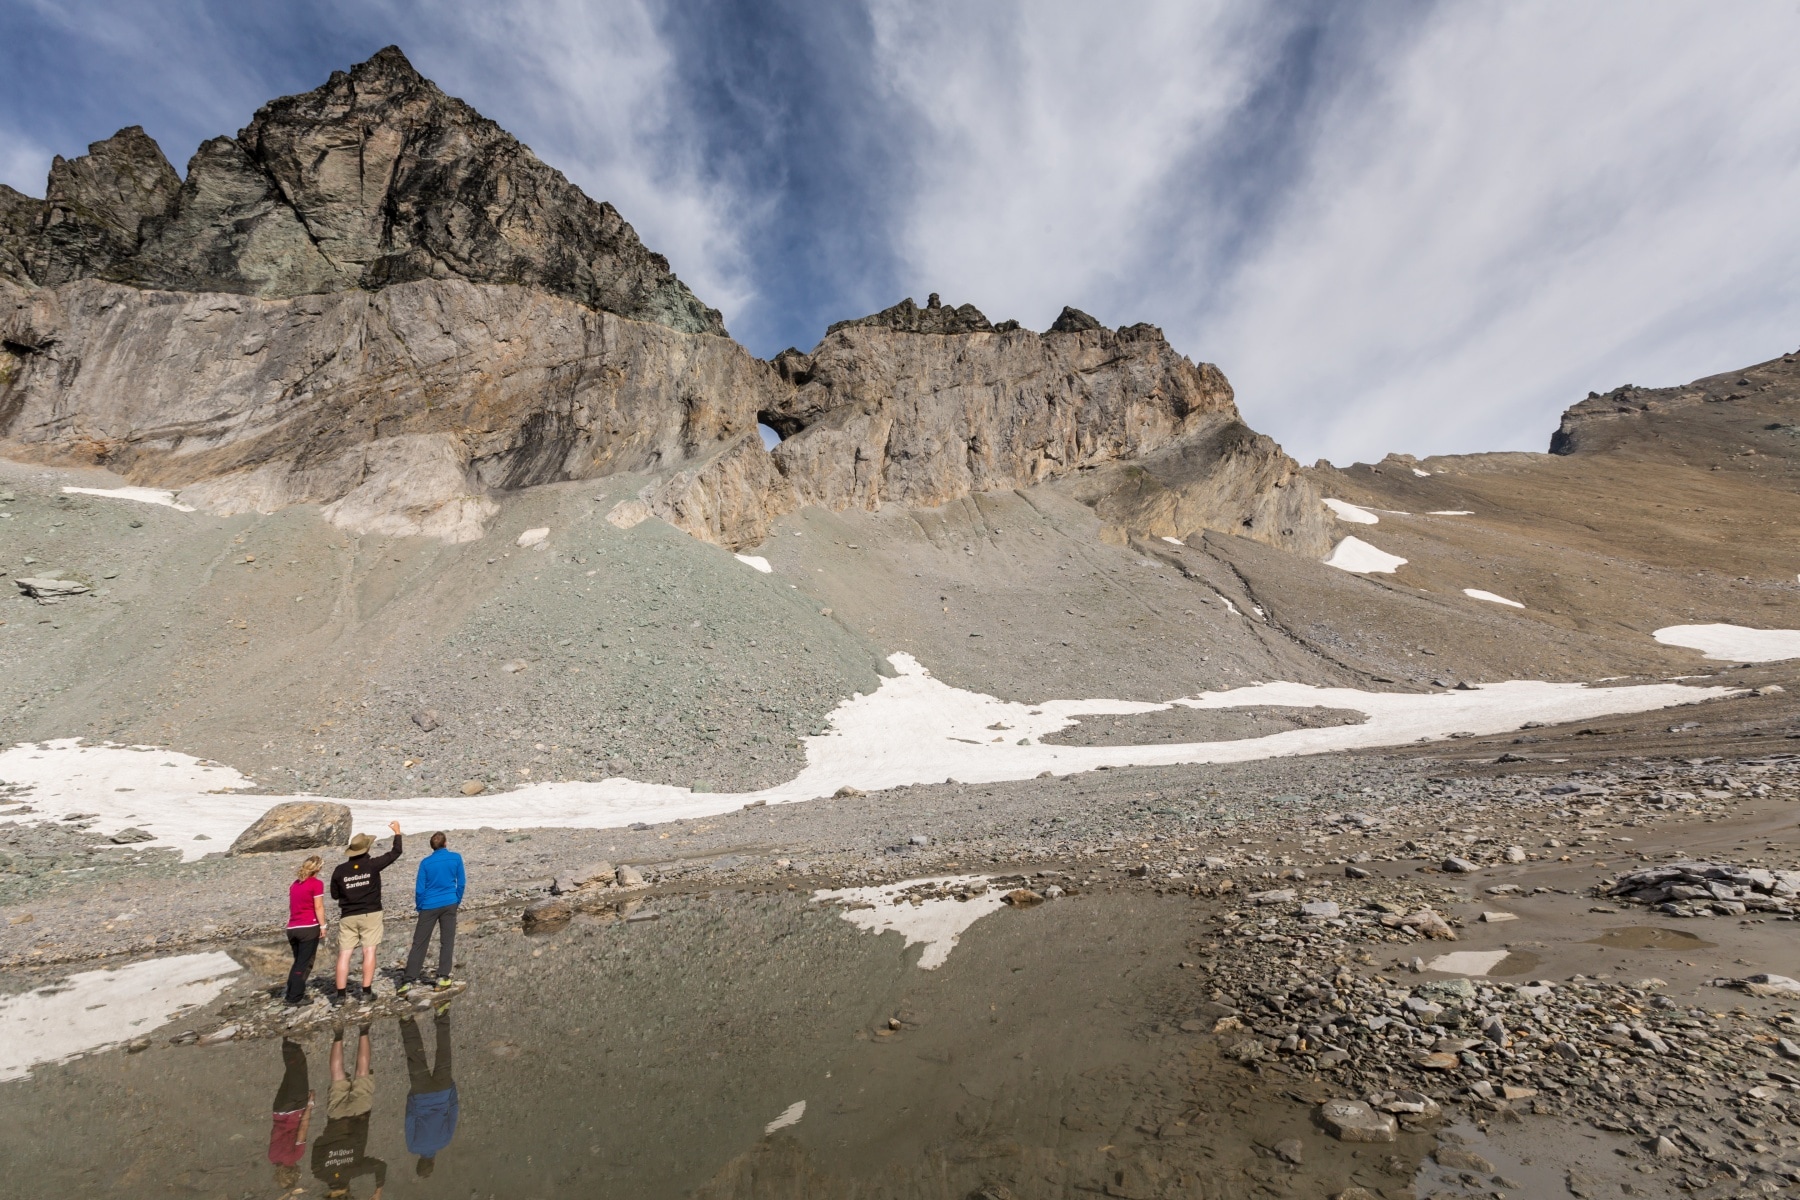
(370, 181)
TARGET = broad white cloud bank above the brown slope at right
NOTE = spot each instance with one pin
(1527, 204)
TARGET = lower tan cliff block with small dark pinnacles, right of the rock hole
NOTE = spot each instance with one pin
(924, 407)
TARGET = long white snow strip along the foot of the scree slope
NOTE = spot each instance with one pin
(913, 730)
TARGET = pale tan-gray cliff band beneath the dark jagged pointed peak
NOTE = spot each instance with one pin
(402, 409)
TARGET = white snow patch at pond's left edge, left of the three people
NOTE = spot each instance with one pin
(94, 1010)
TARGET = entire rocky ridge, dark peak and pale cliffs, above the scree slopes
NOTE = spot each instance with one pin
(377, 301)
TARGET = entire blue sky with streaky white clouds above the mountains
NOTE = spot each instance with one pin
(1396, 226)
